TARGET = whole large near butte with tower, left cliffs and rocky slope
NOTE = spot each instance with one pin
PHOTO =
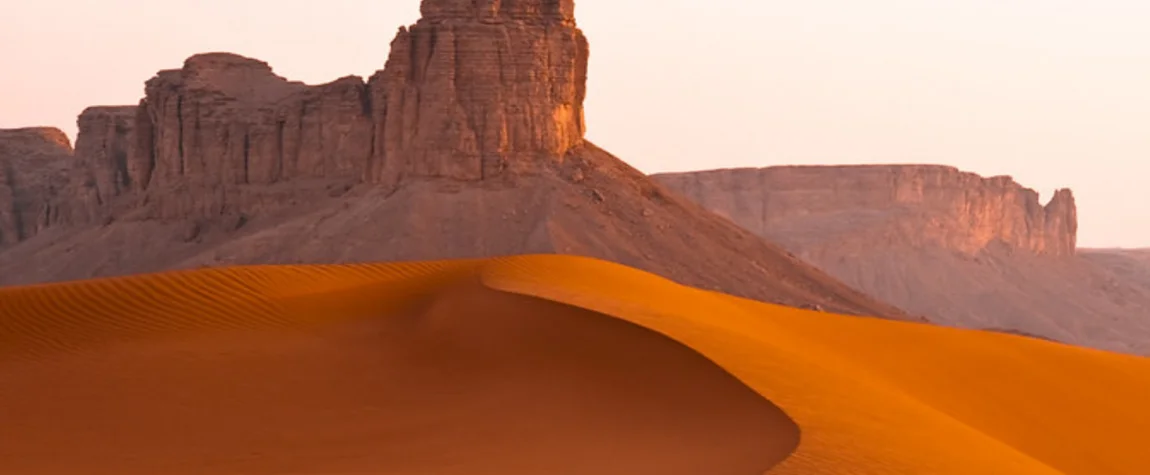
(469, 143)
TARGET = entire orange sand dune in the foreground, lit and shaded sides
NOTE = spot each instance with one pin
(528, 365)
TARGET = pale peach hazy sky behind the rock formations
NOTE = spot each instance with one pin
(1054, 93)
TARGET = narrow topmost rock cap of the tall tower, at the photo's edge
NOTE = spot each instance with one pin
(531, 11)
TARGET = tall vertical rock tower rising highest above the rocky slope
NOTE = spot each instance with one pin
(478, 89)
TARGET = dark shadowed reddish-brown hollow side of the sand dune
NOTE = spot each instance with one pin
(473, 381)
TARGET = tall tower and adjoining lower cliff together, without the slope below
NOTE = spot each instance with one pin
(469, 93)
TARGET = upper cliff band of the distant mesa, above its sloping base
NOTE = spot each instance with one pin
(908, 205)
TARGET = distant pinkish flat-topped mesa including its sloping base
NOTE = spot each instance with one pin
(954, 247)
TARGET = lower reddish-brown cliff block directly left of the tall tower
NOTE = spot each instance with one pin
(226, 120)
